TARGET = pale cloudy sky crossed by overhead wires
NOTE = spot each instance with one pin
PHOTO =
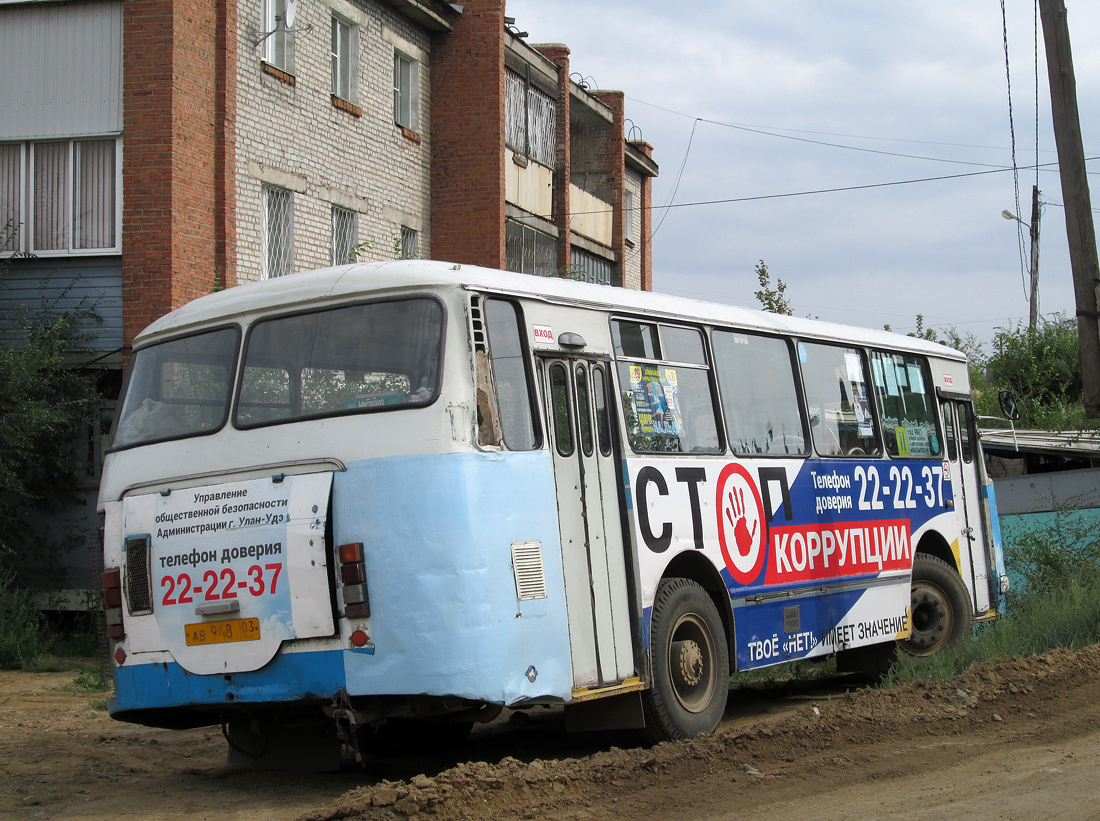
(753, 101)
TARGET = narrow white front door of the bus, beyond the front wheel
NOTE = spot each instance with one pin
(963, 454)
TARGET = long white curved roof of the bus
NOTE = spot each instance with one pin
(338, 284)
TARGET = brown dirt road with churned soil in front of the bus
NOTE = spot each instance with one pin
(1013, 740)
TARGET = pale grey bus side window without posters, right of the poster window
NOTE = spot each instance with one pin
(756, 379)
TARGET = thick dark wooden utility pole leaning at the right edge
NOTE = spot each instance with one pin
(1075, 194)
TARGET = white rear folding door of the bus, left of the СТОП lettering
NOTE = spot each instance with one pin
(593, 552)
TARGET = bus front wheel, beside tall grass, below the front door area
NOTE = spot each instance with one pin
(940, 609)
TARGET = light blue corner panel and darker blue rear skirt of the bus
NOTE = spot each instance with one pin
(438, 535)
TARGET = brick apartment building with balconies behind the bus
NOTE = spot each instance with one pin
(153, 151)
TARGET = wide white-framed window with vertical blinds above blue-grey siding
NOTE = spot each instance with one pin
(61, 198)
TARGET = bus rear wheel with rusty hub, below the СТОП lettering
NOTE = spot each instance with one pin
(690, 664)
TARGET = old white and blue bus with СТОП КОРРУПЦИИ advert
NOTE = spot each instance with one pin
(410, 495)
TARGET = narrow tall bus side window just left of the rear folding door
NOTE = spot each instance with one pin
(511, 380)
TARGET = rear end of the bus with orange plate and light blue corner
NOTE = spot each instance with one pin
(302, 543)
